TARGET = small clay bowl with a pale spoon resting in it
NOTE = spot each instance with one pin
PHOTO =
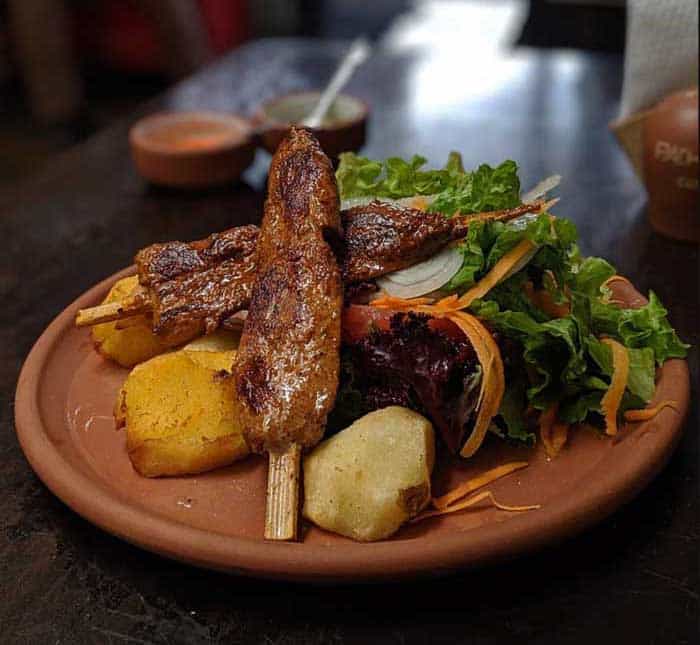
(343, 129)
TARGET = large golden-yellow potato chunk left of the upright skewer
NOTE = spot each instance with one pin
(179, 415)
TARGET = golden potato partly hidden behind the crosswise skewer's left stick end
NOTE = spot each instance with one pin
(134, 342)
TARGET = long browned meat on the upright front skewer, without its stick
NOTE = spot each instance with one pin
(288, 359)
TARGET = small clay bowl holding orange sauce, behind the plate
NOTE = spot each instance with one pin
(192, 149)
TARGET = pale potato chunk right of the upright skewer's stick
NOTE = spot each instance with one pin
(367, 480)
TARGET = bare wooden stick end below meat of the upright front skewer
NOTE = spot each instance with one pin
(282, 511)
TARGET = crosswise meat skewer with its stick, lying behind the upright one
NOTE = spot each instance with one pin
(193, 288)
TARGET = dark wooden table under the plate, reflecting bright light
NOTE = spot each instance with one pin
(634, 577)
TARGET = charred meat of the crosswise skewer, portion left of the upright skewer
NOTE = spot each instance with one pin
(194, 288)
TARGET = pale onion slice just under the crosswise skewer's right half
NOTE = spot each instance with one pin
(424, 277)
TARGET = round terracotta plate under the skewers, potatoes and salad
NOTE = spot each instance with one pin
(64, 422)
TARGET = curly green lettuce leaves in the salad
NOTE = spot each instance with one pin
(558, 359)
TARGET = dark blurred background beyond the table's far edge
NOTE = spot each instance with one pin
(70, 67)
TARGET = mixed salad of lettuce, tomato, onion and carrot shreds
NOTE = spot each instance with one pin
(566, 343)
